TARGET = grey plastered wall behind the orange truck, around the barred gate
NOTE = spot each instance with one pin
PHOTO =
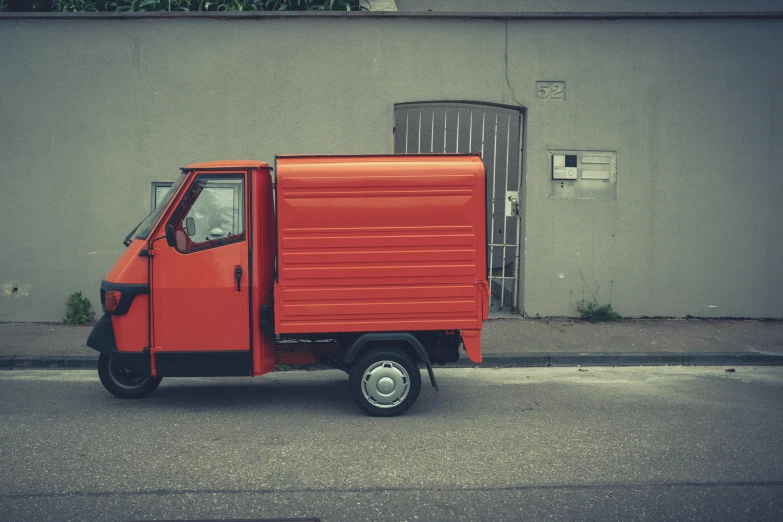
(92, 111)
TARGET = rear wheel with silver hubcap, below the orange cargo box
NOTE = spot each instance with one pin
(385, 381)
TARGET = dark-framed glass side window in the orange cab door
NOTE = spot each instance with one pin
(216, 215)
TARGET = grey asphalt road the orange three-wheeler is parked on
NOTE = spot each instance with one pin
(670, 443)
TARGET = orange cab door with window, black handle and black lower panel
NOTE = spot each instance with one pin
(200, 285)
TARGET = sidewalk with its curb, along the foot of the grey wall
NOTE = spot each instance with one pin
(515, 342)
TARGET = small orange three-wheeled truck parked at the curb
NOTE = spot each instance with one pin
(371, 264)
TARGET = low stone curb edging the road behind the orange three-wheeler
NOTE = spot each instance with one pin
(526, 360)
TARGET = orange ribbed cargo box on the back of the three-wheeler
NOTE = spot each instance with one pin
(380, 243)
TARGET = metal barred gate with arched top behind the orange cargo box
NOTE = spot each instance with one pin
(497, 132)
